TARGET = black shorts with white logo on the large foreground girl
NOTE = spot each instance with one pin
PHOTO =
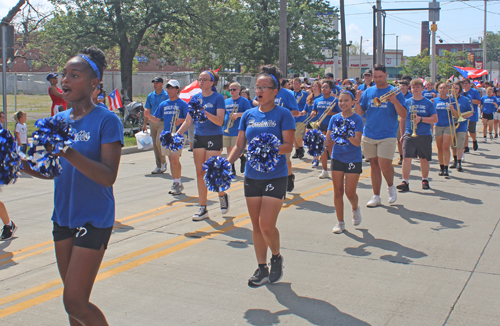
(87, 236)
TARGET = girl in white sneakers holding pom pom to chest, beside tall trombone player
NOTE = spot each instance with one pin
(344, 131)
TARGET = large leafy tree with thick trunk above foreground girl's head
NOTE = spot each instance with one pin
(129, 25)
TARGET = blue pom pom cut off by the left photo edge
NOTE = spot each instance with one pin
(10, 161)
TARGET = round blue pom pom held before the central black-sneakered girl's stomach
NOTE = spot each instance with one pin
(263, 152)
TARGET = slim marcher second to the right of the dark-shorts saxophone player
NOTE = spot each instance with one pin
(466, 110)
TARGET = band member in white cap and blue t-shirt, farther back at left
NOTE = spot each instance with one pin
(166, 111)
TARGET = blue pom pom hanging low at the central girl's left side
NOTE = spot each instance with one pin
(219, 174)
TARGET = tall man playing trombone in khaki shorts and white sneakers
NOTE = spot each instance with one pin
(380, 133)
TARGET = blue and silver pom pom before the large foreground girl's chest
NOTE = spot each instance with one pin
(52, 135)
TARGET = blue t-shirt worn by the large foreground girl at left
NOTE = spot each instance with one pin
(77, 199)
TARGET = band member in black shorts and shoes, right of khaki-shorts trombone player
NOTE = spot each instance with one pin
(421, 114)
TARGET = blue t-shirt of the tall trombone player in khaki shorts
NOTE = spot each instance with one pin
(381, 121)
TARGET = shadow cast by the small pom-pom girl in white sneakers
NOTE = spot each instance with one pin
(403, 254)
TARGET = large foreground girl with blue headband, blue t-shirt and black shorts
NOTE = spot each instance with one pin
(84, 205)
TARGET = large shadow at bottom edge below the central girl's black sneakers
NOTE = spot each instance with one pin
(314, 311)
